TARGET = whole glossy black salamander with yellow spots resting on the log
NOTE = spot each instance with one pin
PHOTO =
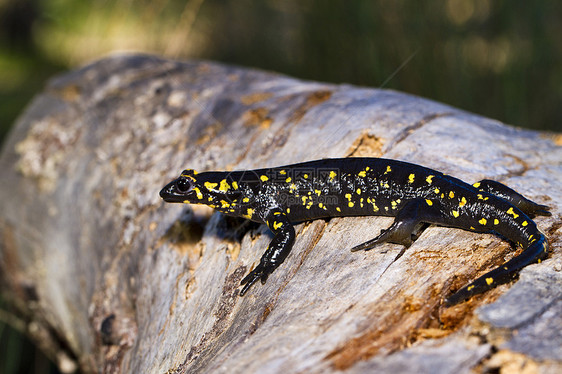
(415, 195)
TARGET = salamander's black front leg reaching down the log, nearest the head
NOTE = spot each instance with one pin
(277, 251)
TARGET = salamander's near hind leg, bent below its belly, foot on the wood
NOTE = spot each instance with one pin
(407, 221)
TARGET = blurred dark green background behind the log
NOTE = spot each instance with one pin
(500, 59)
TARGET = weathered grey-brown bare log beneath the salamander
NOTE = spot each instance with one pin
(108, 278)
